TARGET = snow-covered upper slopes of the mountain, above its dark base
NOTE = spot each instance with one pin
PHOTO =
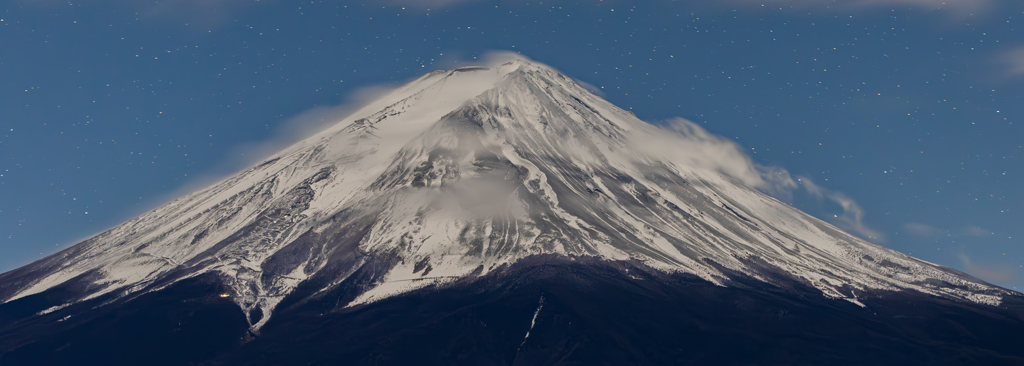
(459, 174)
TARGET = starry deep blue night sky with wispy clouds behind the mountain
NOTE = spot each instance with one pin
(912, 109)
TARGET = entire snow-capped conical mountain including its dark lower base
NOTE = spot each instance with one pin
(495, 216)
